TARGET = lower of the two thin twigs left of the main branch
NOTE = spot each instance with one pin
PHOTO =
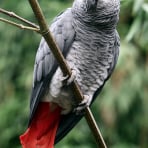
(21, 26)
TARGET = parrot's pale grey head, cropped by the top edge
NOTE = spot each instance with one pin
(96, 11)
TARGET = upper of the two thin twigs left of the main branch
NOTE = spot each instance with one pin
(12, 14)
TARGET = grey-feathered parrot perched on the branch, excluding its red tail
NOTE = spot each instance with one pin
(88, 39)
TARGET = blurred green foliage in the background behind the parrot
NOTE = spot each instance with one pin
(120, 110)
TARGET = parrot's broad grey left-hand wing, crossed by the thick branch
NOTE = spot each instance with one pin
(45, 63)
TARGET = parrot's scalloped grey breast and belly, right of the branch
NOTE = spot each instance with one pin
(91, 55)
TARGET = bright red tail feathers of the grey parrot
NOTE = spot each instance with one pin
(42, 130)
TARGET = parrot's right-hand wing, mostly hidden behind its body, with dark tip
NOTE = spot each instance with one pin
(70, 120)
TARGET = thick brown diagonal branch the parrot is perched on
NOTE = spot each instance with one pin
(65, 69)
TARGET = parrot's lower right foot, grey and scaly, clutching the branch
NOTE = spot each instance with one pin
(84, 104)
